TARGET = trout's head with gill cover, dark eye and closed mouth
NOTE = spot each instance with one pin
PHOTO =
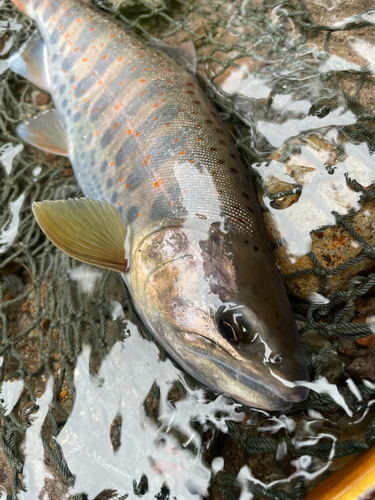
(224, 318)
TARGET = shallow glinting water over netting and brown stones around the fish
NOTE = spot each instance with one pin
(90, 403)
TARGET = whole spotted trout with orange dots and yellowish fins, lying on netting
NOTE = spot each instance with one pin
(168, 201)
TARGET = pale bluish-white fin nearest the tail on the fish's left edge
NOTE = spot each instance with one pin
(30, 62)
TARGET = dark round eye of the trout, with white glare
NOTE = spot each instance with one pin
(235, 326)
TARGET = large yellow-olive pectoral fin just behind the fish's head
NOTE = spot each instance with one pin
(88, 230)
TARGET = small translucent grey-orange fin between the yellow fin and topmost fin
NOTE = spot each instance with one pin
(44, 131)
